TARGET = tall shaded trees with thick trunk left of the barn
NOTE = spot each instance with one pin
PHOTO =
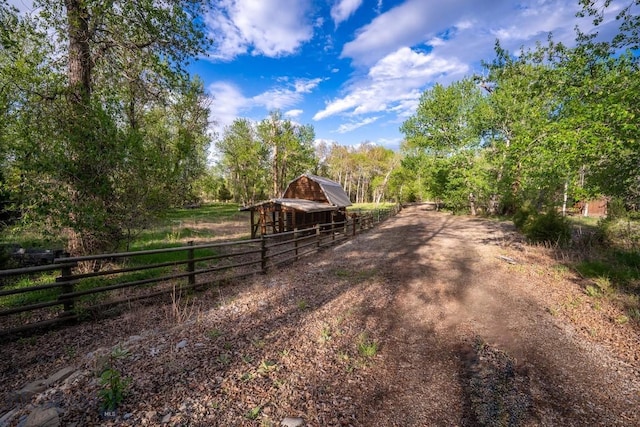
(101, 128)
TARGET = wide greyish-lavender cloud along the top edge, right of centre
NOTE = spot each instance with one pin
(469, 24)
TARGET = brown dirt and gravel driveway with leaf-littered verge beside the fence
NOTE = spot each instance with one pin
(471, 326)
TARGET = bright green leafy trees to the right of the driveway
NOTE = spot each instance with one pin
(540, 130)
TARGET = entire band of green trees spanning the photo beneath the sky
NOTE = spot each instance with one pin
(102, 129)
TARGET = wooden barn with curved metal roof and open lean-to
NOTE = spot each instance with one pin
(308, 200)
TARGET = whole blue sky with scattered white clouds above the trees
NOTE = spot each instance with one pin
(355, 69)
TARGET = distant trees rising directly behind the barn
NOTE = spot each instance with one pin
(256, 161)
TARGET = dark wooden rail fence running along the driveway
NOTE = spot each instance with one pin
(94, 283)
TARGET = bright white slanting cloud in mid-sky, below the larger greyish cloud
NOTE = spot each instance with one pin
(395, 84)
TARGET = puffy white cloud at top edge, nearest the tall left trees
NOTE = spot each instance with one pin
(267, 27)
